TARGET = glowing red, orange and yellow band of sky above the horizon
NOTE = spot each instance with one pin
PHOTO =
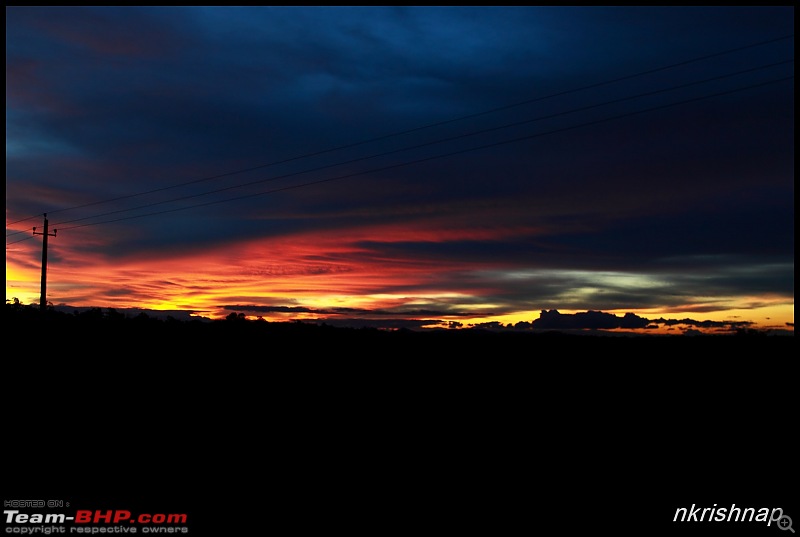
(321, 273)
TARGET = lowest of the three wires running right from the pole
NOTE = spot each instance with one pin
(453, 153)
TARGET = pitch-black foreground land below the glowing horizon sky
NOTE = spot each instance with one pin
(246, 425)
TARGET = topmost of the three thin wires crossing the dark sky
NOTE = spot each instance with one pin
(417, 129)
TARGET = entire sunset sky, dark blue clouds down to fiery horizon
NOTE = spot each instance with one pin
(406, 166)
